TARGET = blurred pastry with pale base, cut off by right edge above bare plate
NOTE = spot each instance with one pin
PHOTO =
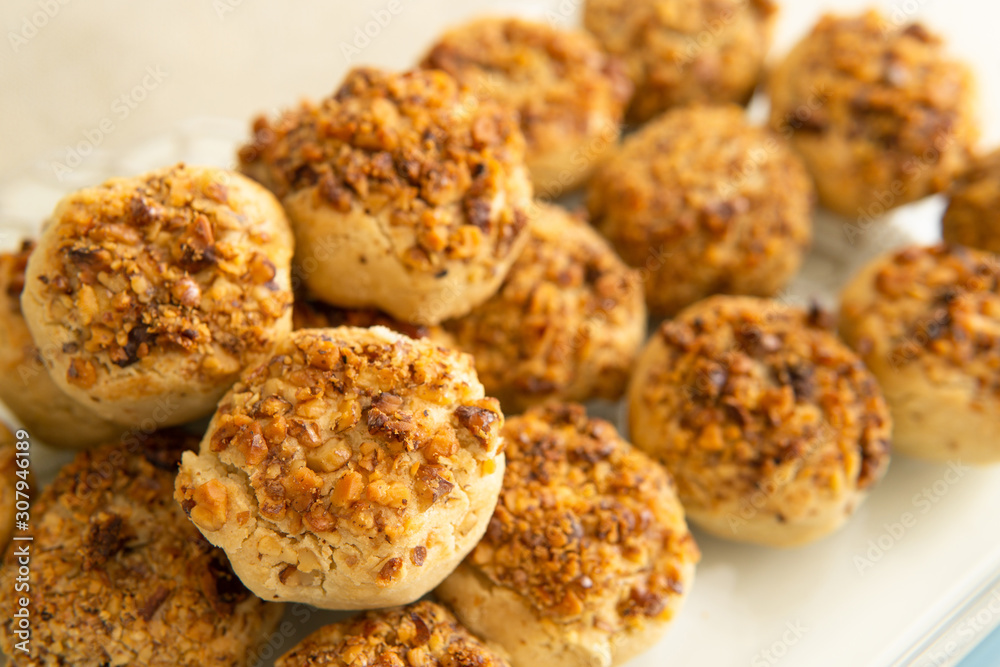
(926, 321)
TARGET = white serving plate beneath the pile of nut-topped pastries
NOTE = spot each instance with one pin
(910, 580)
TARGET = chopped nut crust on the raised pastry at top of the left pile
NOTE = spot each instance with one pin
(426, 156)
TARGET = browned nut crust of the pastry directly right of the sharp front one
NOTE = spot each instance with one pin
(588, 529)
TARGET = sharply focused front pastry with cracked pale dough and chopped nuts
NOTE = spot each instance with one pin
(353, 470)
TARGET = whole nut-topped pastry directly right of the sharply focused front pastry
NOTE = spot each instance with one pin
(587, 559)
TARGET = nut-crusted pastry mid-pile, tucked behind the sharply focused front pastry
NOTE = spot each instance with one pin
(566, 324)
